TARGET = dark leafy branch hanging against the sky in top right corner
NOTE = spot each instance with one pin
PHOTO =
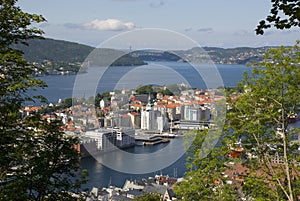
(283, 15)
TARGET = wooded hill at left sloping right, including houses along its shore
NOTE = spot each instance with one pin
(63, 57)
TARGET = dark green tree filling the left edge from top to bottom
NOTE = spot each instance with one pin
(37, 161)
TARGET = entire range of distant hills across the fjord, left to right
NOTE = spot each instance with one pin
(69, 55)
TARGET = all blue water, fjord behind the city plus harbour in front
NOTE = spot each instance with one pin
(61, 87)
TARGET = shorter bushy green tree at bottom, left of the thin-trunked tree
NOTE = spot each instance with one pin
(205, 179)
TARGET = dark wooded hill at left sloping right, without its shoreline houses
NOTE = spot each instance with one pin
(59, 52)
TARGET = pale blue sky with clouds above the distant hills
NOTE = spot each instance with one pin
(214, 23)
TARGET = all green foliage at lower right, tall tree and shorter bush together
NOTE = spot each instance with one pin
(259, 126)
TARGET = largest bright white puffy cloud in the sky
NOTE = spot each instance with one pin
(109, 25)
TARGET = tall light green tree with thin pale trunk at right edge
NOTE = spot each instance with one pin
(260, 118)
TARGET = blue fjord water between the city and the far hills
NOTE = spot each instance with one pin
(124, 77)
